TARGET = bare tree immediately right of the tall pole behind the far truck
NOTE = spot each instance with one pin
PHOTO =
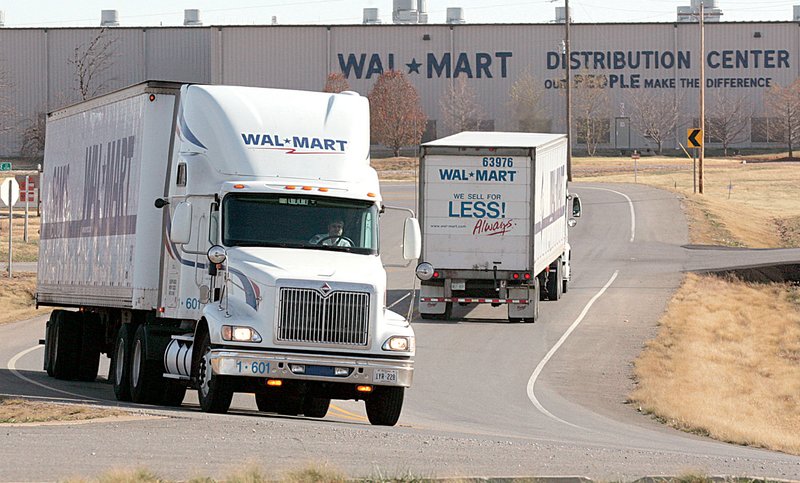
(592, 109)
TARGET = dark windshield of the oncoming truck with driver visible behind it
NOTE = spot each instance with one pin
(265, 220)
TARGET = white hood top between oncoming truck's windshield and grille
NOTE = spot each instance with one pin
(266, 266)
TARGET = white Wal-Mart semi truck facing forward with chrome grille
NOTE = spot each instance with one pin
(223, 239)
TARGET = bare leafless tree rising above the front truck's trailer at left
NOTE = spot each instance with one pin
(90, 61)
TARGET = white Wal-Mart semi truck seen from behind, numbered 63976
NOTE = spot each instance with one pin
(494, 210)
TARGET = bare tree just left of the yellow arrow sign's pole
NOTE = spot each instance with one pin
(655, 115)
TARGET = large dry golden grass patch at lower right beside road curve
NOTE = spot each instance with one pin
(726, 363)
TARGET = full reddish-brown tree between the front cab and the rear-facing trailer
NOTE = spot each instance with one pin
(396, 116)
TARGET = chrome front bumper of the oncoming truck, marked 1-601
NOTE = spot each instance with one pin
(277, 365)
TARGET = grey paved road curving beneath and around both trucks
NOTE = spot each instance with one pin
(489, 398)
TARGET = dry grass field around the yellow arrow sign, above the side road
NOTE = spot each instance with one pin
(759, 209)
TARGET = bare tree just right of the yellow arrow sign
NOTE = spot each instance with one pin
(727, 123)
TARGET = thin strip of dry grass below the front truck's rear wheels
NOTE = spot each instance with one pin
(22, 411)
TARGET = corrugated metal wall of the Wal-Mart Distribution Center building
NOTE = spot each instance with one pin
(490, 57)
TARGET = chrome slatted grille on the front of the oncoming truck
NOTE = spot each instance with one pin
(341, 318)
